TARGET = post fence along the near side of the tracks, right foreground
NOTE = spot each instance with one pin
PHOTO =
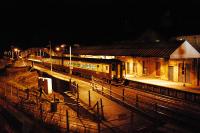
(147, 105)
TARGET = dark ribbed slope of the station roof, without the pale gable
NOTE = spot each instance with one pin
(128, 48)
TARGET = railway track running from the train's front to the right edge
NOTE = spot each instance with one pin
(130, 95)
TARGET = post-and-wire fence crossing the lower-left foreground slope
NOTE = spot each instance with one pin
(42, 109)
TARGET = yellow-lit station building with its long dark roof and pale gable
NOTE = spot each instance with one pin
(176, 60)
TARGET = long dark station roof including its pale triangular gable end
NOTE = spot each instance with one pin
(171, 49)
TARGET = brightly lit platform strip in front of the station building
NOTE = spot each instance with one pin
(164, 83)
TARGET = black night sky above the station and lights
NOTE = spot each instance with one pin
(32, 23)
